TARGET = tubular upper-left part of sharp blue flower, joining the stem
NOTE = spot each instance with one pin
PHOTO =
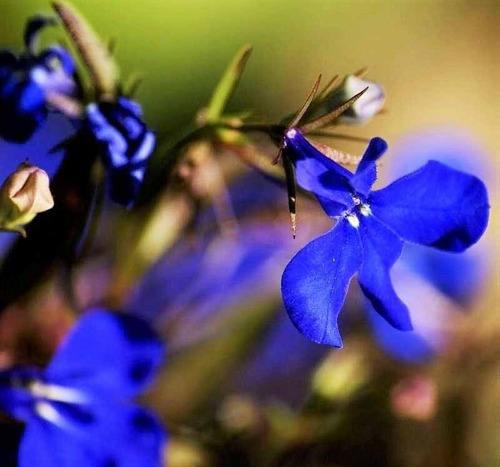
(318, 174)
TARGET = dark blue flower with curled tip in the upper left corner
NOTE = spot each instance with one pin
(27, 80)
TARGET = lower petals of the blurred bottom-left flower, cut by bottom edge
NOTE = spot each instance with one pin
(123, 436)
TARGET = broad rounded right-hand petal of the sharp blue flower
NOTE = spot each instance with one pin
(436, 206)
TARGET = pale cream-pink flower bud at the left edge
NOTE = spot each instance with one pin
(24, 194)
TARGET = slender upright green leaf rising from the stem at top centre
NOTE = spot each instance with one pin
(227, 84)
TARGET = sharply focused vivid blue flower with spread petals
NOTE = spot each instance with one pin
(434, 206)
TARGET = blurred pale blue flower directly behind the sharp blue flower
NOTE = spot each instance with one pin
(436, 284)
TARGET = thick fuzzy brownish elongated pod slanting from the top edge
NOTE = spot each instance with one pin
(93, 51)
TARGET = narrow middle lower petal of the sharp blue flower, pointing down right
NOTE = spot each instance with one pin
(381, 249)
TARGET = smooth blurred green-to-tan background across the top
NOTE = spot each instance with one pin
(437, 59)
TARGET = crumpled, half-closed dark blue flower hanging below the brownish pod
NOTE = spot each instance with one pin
(126, 144)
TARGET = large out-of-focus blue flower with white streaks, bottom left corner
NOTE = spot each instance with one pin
(76, 410)
